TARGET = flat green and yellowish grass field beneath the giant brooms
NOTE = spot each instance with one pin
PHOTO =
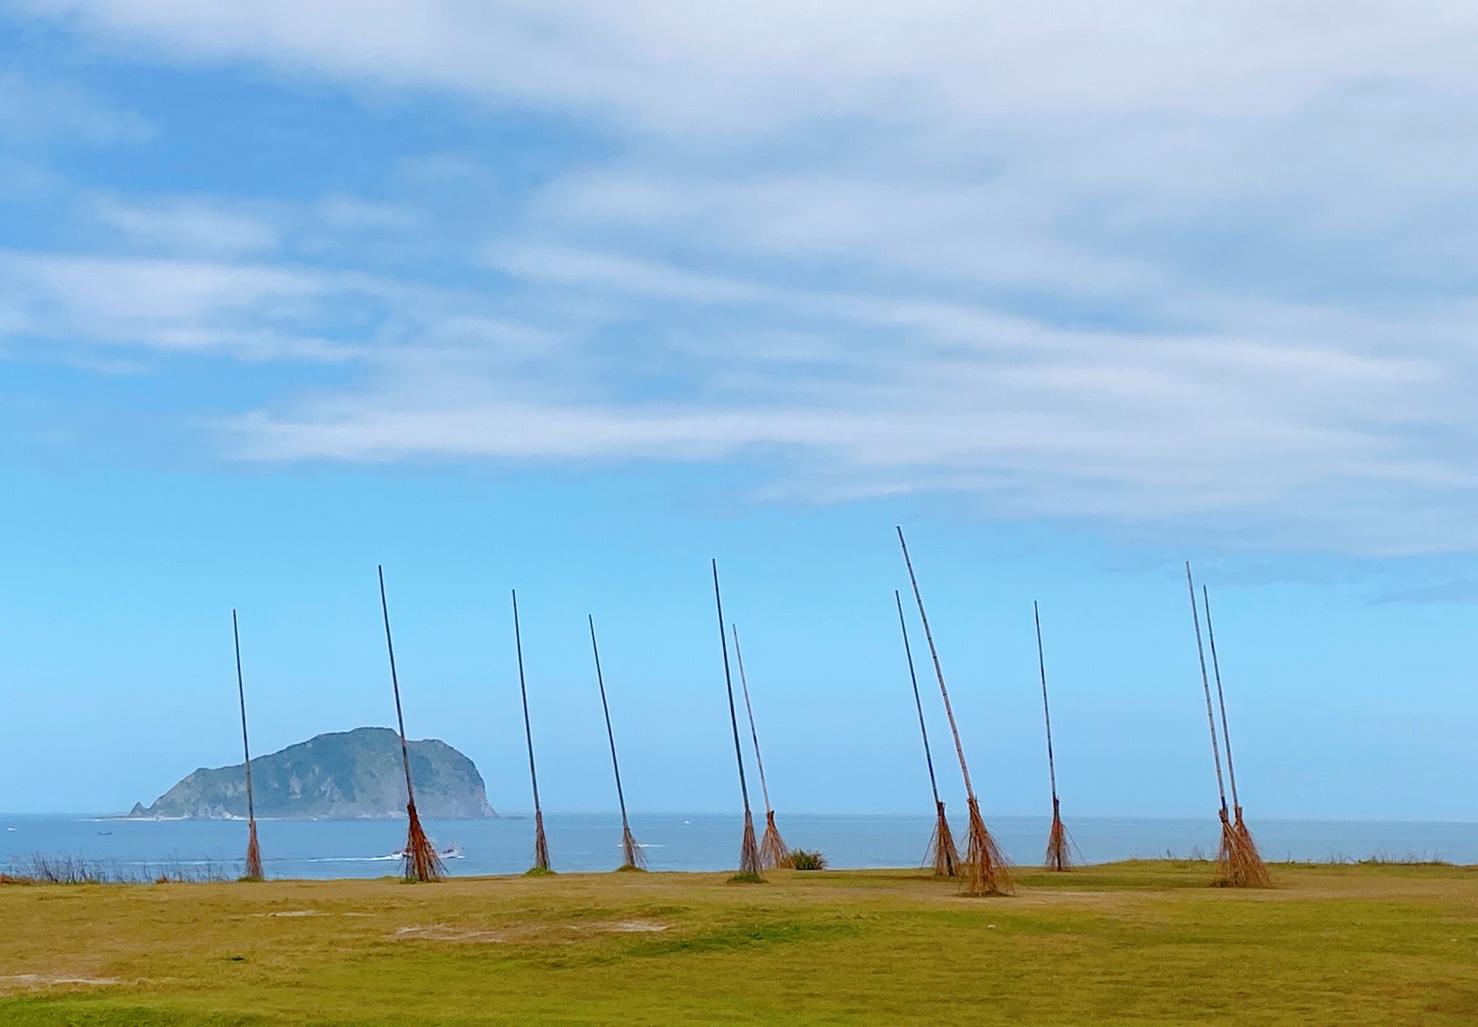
(1130, 942)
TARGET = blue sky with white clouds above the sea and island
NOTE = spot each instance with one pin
(574, 299)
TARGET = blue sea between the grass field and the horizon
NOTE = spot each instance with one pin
(367, 849)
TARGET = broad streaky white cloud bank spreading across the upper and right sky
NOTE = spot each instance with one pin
(1148, 265)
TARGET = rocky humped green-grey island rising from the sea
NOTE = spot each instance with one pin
(338, 777)
